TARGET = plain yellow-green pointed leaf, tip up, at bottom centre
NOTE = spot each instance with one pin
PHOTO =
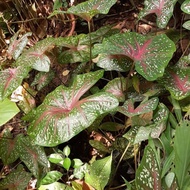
(99, 173)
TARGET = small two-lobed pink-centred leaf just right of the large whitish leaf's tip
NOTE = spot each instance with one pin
(145, 107)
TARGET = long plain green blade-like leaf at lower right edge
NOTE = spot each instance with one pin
(182, 155)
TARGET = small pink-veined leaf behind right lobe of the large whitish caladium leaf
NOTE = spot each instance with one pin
(117, 87)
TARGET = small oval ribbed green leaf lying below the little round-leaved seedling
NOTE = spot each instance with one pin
(51, 177)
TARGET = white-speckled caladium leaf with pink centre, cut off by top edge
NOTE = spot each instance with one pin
(162, 8)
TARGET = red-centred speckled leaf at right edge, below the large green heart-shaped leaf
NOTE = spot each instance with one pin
(177, 79)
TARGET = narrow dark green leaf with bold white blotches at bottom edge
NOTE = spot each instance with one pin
(148, 173)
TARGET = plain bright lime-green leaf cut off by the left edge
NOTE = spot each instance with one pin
(8, 110)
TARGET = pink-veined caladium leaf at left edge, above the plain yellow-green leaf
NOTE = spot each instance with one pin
(11, 78)
